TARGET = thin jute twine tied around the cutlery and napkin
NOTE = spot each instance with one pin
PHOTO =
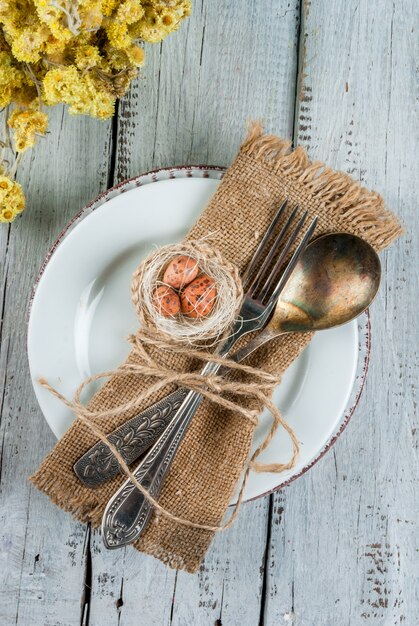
(212, 387)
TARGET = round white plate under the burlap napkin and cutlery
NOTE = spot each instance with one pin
(81, 313)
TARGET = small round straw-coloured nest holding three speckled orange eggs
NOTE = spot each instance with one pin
(149, 275)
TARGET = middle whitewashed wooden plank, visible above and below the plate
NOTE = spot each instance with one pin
(198, 86)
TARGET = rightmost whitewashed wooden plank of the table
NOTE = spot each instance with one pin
(344, 537)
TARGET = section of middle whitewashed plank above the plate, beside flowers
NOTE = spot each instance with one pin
(227, 64)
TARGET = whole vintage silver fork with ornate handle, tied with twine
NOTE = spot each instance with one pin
(128, 512)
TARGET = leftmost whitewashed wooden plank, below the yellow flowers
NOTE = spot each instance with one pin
(42, 549)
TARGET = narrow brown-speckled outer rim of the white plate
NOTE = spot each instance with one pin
(217, 172)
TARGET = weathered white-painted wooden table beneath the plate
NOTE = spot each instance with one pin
(337, 547)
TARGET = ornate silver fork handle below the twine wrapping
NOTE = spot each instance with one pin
(128, 512)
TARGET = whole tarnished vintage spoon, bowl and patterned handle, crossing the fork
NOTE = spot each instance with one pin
(335, 280)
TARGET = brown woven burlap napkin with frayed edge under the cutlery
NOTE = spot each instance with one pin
(211, 459)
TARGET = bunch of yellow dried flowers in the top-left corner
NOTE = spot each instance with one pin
(82, 53)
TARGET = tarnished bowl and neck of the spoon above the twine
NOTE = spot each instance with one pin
(335, 280)
